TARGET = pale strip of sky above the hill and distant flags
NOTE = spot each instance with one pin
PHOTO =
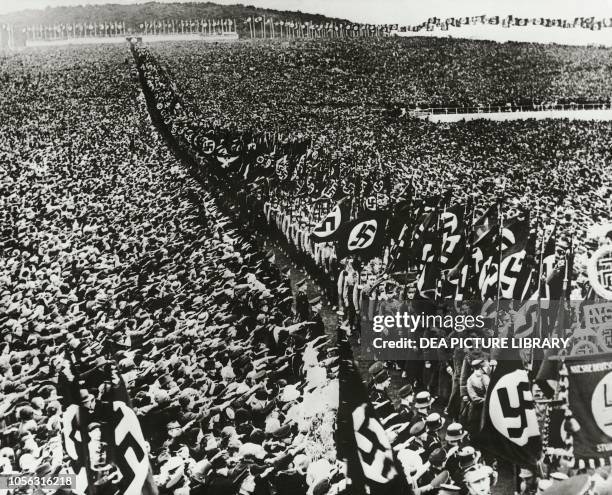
(388, 11)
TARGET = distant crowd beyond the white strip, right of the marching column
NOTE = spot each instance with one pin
(294, 87)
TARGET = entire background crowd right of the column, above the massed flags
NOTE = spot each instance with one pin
(335, 91)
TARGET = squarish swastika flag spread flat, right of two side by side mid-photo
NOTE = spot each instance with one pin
(363, 237)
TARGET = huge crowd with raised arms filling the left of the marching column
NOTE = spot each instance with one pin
(112, 254)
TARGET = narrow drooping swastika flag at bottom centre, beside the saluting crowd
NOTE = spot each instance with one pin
(361, 440)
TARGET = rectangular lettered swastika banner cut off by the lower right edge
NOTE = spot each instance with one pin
(590, 399)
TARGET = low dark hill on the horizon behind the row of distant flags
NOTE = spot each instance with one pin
(133, 15)
